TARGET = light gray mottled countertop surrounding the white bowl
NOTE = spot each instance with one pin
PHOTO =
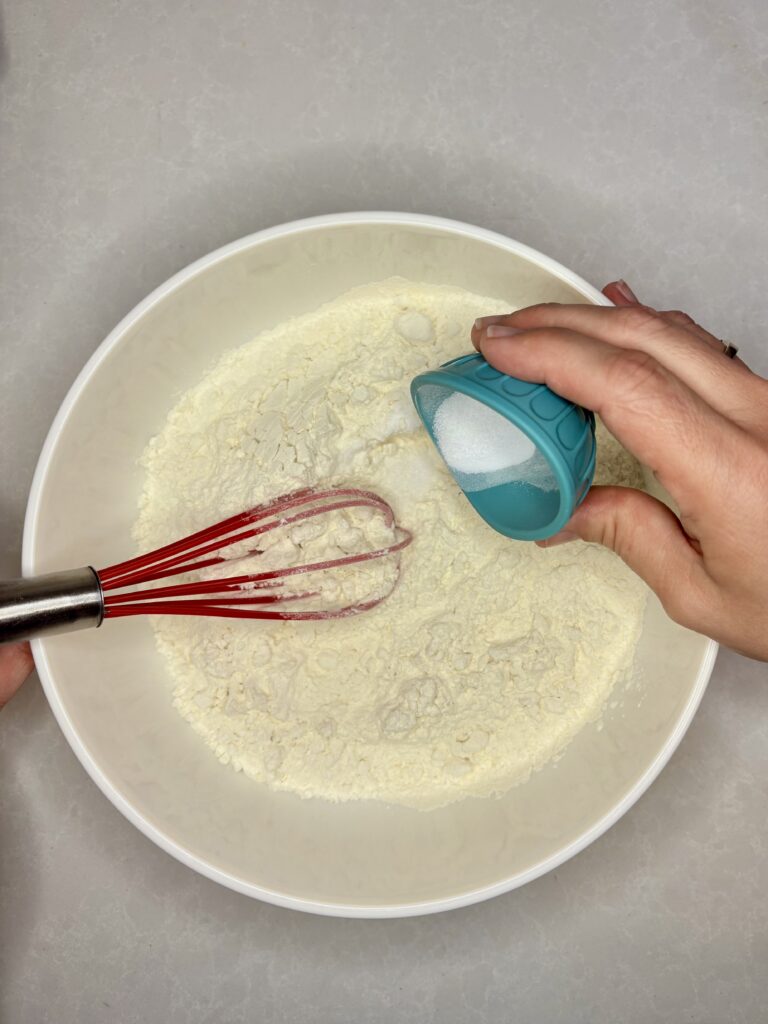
(624, 139)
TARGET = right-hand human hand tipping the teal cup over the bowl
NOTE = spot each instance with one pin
(665, 388)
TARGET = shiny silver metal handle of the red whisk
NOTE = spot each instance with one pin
(57, 603)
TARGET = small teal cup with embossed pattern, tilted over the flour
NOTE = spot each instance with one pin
(529, 500)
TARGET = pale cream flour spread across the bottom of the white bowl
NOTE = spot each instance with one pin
(488, 658)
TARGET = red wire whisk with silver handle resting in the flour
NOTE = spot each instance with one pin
(79, 599)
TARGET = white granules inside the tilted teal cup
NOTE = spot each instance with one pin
(475, 439)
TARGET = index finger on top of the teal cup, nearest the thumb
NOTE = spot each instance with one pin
(650, 410)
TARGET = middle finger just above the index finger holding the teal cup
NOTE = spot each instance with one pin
(726, 386)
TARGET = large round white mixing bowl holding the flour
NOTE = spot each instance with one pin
(110, 691)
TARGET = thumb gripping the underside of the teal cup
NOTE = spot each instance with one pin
(650, 538)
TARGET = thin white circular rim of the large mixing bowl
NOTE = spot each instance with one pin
(161, 839)
